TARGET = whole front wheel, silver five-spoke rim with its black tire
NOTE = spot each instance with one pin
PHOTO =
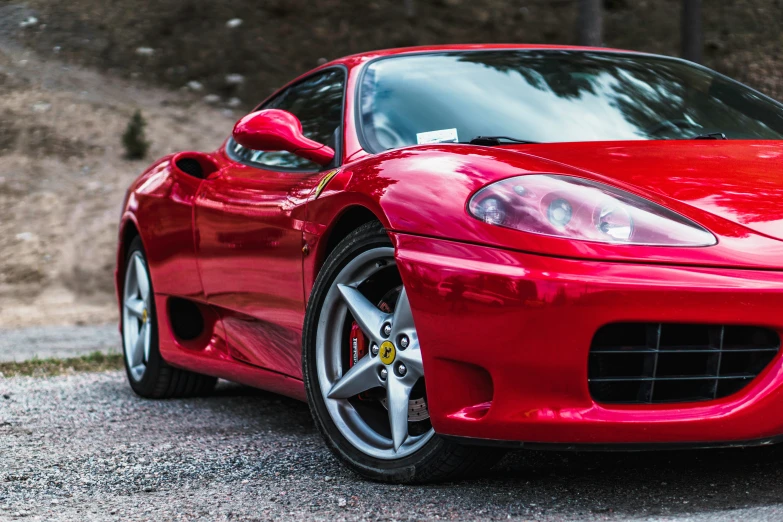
(363, 369)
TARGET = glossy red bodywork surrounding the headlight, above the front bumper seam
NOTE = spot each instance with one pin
(424, 191)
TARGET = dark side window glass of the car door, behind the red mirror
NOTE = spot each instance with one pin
(318, 103)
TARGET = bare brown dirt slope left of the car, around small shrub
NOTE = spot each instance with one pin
(62, 179)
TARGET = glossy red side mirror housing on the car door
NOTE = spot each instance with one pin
(275, 130)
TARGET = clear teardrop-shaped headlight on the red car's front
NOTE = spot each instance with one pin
(574, 208)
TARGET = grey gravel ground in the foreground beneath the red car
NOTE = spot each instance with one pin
(83, 447)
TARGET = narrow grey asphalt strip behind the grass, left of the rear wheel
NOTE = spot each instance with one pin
(59, 342)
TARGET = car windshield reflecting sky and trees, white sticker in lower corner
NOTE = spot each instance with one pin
(554, 96)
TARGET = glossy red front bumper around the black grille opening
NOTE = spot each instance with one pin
(505, 338)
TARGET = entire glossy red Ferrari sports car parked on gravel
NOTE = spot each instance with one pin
(448, 251)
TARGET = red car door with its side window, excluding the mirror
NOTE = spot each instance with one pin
(248, 222)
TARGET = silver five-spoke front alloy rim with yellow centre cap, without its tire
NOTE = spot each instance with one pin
(376, 402)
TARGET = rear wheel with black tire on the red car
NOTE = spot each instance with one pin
(156, 380)
